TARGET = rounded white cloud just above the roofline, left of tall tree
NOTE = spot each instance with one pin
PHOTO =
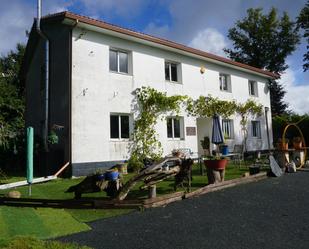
(209, 40)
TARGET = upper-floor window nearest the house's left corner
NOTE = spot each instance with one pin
(118, 61)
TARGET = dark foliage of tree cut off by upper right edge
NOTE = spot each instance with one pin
(303, 22)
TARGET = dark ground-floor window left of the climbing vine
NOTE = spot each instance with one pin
(119, 126)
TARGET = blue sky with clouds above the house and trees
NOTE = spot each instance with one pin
(202, 24)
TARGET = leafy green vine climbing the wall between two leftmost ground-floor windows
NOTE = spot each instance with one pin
(151, 104)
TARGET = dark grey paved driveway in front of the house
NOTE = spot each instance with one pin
(272, 213)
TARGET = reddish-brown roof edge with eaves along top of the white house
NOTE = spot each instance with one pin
(164, 42)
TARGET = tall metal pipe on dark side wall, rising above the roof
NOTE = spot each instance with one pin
(40, 32)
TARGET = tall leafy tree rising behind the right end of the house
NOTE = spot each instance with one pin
(265, 41)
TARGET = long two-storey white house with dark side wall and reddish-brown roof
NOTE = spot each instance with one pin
(93, 69)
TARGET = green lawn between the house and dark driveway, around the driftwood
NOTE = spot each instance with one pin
(46, 223)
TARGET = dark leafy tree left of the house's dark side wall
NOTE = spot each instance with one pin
(11, 98)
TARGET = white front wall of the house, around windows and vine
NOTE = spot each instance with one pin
(97, 92)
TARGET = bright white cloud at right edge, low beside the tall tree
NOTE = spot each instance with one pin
(297, 96)
